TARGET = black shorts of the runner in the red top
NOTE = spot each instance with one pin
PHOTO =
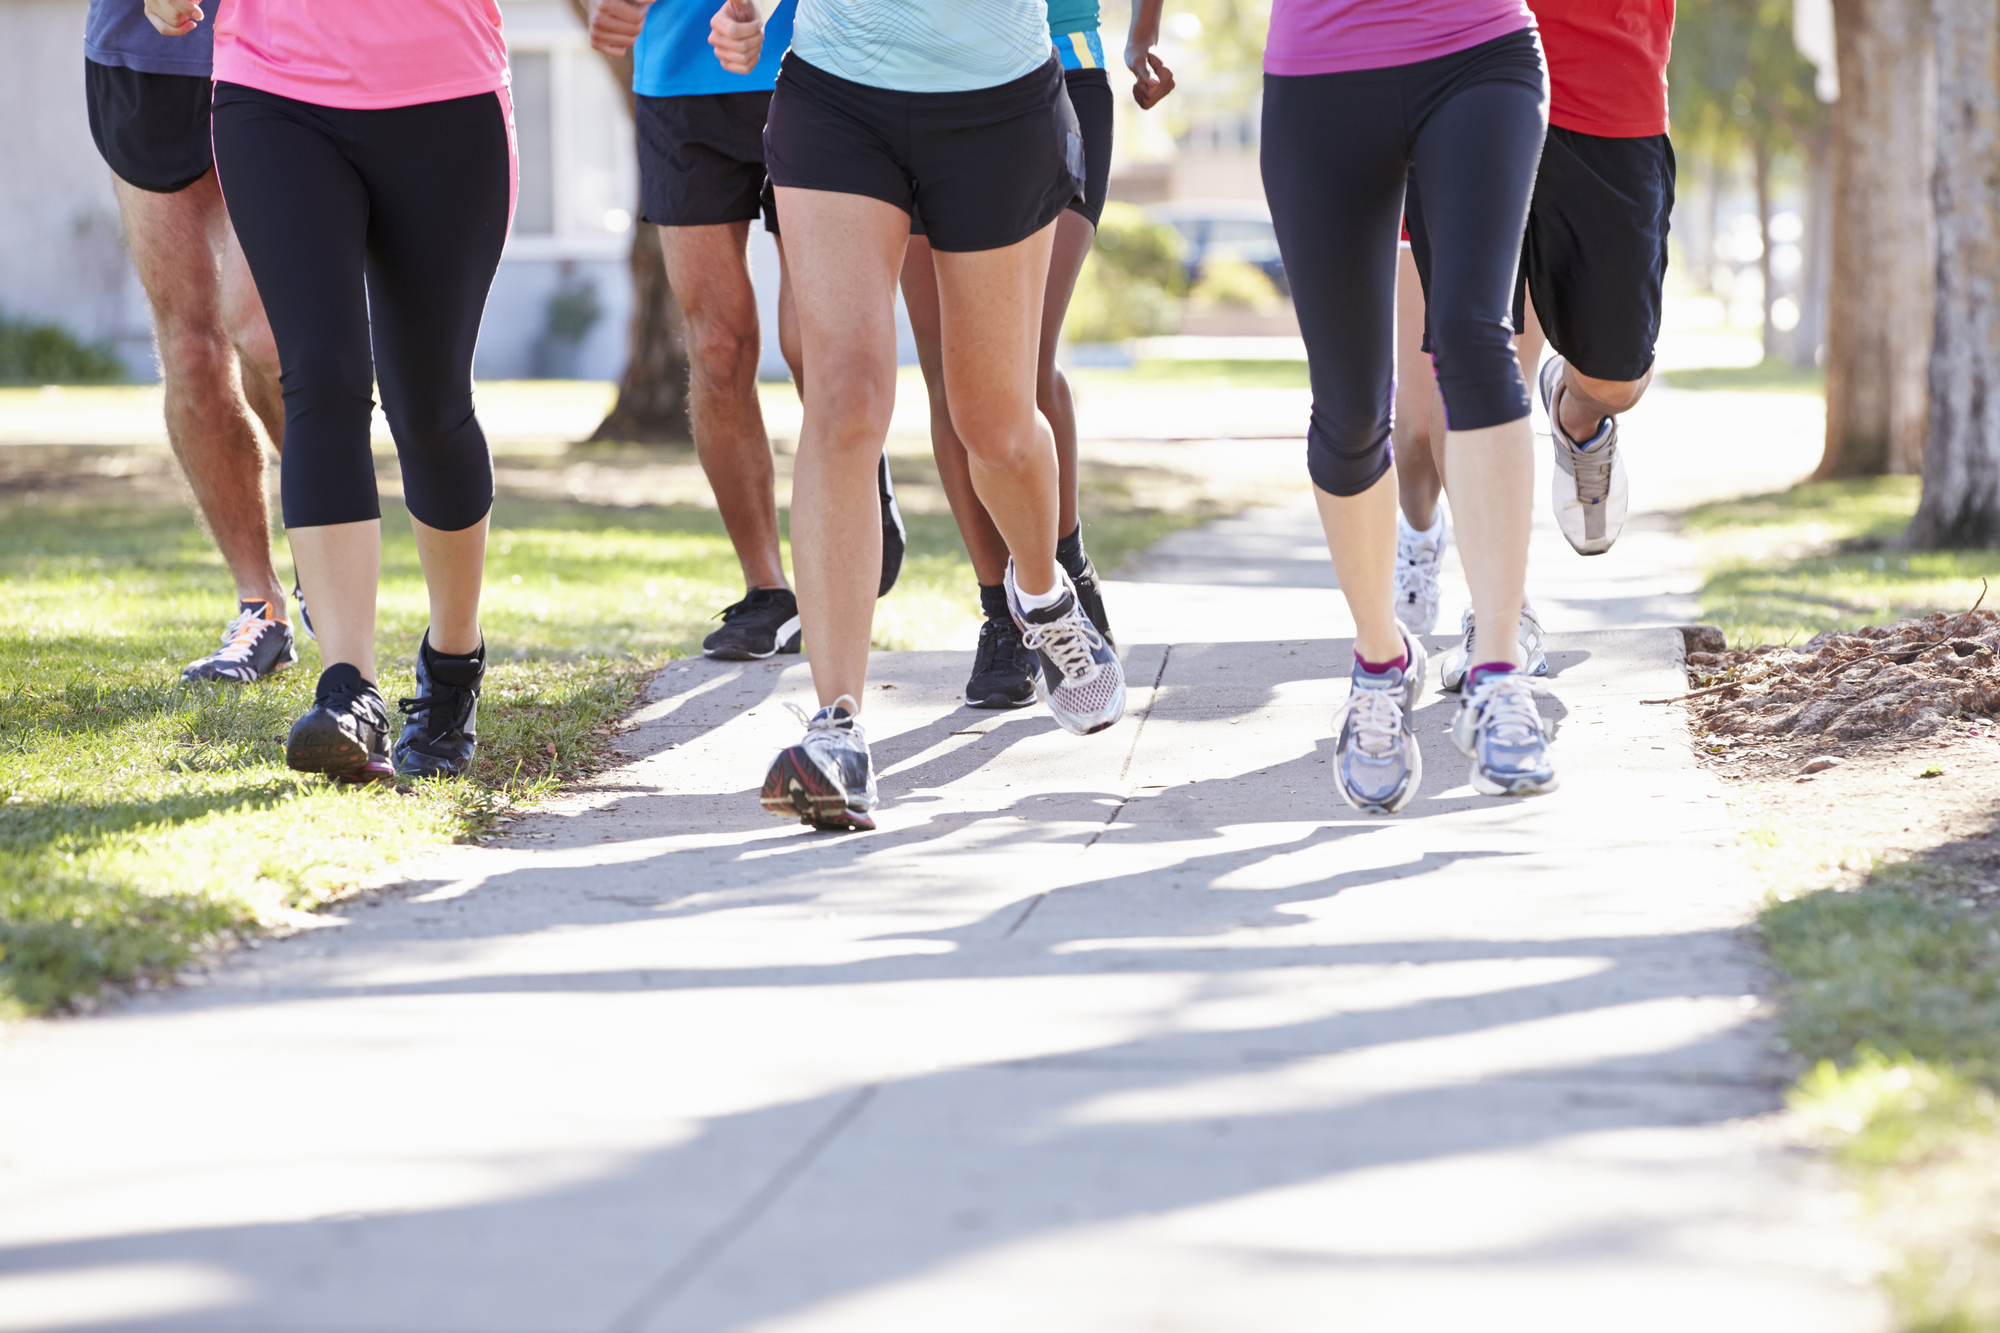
(1595, 253)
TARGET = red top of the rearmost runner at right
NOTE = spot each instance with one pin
(1607, 65)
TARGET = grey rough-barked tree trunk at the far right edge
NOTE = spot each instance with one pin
(1961, 503)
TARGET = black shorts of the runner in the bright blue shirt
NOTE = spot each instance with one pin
(701, 159)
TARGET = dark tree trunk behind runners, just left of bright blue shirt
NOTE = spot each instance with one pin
(653, 395)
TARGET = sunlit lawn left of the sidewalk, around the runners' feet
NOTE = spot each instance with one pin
(143, 822)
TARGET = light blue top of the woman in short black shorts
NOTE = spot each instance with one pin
(923, 45)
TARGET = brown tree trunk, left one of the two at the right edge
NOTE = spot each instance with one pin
(1885, 241)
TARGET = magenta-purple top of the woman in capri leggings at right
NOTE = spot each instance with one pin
(1329, 37)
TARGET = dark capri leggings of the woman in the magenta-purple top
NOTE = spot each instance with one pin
(1337, 153)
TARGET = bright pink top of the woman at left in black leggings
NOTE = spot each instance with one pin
(363, 55)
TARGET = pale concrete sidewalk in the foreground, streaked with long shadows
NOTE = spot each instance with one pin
(1133, 1034)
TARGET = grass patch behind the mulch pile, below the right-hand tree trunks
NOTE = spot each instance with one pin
(1785, 567)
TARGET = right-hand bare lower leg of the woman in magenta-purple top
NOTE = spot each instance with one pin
(1491, 479)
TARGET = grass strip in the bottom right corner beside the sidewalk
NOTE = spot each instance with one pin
(1895, 992)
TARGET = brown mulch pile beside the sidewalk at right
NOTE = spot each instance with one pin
(1901, 682)
